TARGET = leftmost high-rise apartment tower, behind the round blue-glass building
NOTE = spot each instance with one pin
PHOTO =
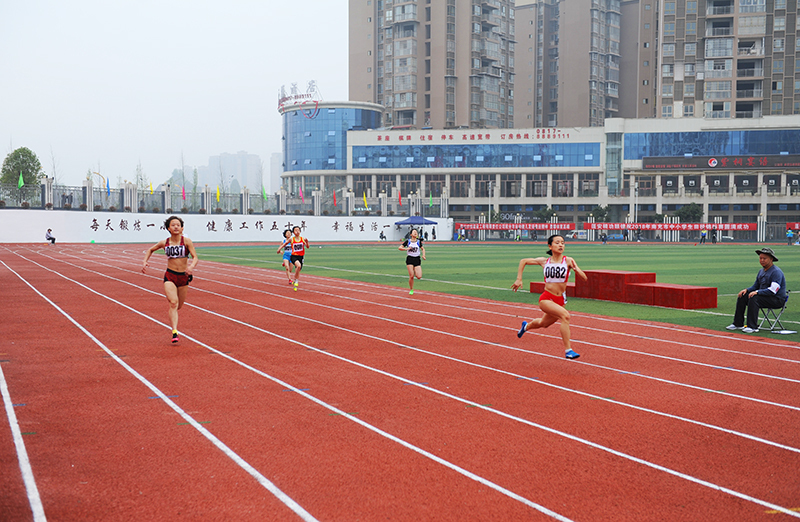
(434, 63)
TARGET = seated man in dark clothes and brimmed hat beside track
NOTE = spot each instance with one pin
(769, 291)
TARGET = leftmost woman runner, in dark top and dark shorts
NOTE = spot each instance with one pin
(179, 270)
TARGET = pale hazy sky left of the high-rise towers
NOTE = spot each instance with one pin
(107, 84)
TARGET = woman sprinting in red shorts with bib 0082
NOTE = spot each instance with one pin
(553, 299)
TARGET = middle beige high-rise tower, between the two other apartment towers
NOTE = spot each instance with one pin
(569, 62)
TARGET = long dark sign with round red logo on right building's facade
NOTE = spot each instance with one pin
(760, 162)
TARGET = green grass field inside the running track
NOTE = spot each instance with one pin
(487, 270)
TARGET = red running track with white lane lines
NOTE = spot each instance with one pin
(349, 401)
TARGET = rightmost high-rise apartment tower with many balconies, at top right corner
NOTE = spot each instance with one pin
(727, 58)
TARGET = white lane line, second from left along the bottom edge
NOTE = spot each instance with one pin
(261, 479)
